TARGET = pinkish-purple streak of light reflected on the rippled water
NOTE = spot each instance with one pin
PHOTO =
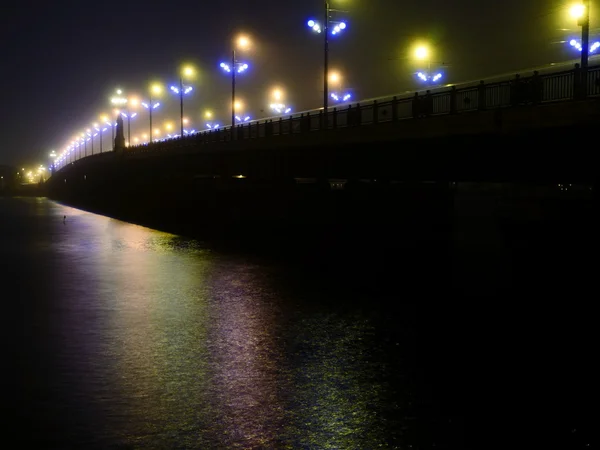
(247, 360)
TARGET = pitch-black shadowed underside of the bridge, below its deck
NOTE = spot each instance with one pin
(367, 187)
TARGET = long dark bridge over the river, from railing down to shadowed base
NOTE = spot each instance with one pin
(353, 162)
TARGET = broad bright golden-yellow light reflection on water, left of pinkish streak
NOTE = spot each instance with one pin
(158, 305)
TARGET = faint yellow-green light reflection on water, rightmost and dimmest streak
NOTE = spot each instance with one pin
(337, 389)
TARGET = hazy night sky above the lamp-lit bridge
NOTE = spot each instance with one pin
(61, 60)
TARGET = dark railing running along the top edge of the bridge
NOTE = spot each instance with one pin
(565, 85)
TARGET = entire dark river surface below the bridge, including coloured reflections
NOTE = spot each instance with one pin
(118, 336)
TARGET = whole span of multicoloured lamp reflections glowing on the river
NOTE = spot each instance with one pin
(150, 341)
